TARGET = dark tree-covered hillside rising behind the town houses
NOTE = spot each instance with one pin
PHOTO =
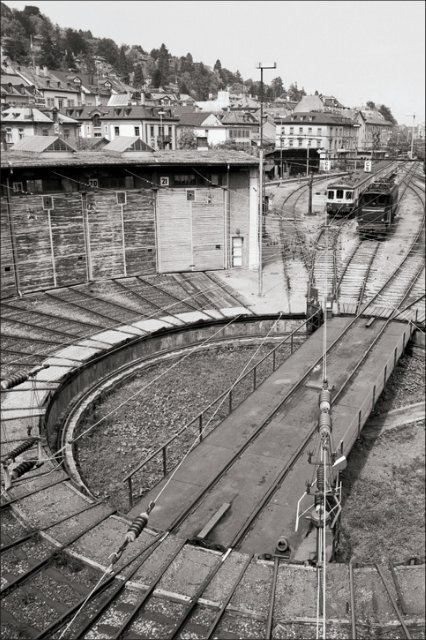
(30, 38)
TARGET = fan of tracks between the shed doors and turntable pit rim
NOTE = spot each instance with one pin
(38, 324)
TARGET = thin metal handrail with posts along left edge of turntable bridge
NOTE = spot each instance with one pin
(199, 417)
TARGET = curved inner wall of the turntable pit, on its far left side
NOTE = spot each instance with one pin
(163, 341)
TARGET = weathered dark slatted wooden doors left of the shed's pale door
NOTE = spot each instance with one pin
(82, 237)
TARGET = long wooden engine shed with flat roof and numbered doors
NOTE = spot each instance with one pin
(71, 217)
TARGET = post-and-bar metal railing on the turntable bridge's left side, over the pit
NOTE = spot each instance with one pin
(199, 421)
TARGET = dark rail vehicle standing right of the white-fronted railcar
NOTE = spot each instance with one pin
(377, 207)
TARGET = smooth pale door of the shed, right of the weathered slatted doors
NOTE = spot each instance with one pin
(190, 229)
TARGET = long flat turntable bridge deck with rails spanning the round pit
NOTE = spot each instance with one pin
(241, 486)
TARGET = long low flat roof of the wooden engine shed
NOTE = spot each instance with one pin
(18, 158)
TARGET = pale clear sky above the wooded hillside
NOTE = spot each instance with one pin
(355, 50)
